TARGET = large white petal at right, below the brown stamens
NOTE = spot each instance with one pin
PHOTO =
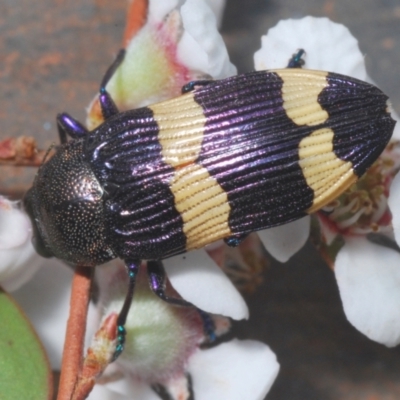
(368, 276)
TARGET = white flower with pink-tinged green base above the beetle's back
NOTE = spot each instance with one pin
(178, 43)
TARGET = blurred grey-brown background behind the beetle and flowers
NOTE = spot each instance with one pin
(52, 57)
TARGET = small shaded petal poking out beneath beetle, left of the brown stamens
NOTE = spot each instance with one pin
(282, 242)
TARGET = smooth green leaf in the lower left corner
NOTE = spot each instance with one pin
(24, 369)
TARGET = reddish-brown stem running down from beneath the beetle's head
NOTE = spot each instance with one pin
(75, 335)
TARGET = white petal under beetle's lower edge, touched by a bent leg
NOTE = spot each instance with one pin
(199, 280)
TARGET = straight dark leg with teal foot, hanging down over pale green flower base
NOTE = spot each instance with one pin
(132, 268)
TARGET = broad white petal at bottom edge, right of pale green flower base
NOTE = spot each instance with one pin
(235, 370)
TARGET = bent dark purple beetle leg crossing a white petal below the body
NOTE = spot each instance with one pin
(157, 280)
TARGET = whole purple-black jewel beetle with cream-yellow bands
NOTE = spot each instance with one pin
(226, 158)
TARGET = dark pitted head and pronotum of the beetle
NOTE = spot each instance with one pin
(65, 205)
